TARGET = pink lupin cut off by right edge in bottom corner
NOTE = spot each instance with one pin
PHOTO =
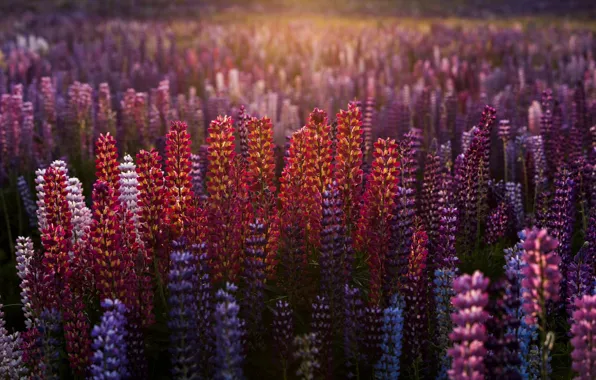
(583, 338)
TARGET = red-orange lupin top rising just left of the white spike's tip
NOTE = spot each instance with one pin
(106, 162)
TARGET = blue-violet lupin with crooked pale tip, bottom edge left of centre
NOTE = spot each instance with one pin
(228, 336)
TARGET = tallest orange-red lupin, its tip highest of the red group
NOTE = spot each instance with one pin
(348, 161)
